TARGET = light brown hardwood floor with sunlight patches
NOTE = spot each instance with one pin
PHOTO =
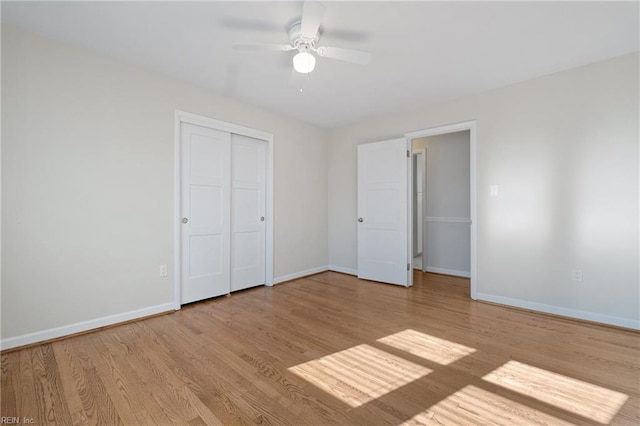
(331, 349)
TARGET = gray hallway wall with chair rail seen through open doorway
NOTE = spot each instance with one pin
(447, 203)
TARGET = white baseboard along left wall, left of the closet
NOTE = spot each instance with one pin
(79, 327)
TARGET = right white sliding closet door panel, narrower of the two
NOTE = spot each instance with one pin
(248, 191)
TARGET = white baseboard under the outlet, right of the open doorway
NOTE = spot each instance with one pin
(565, 312)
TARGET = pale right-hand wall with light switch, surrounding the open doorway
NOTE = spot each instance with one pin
(564, 150)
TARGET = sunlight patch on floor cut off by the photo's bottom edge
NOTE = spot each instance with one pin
(472, 405)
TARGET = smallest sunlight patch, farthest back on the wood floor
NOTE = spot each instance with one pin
(428, 347)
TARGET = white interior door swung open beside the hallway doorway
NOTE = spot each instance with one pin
(383, 212)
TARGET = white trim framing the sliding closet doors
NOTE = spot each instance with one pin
(187, 117)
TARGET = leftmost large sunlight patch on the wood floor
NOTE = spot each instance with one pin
(359, 374)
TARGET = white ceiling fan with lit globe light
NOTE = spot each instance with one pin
(303, 37)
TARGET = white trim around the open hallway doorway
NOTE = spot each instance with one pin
(452, 128)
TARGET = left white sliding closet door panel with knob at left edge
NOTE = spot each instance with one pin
(205, 212)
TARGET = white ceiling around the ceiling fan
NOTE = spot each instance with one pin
(423, 52)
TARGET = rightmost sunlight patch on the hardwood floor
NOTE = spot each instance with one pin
(572, 395)
